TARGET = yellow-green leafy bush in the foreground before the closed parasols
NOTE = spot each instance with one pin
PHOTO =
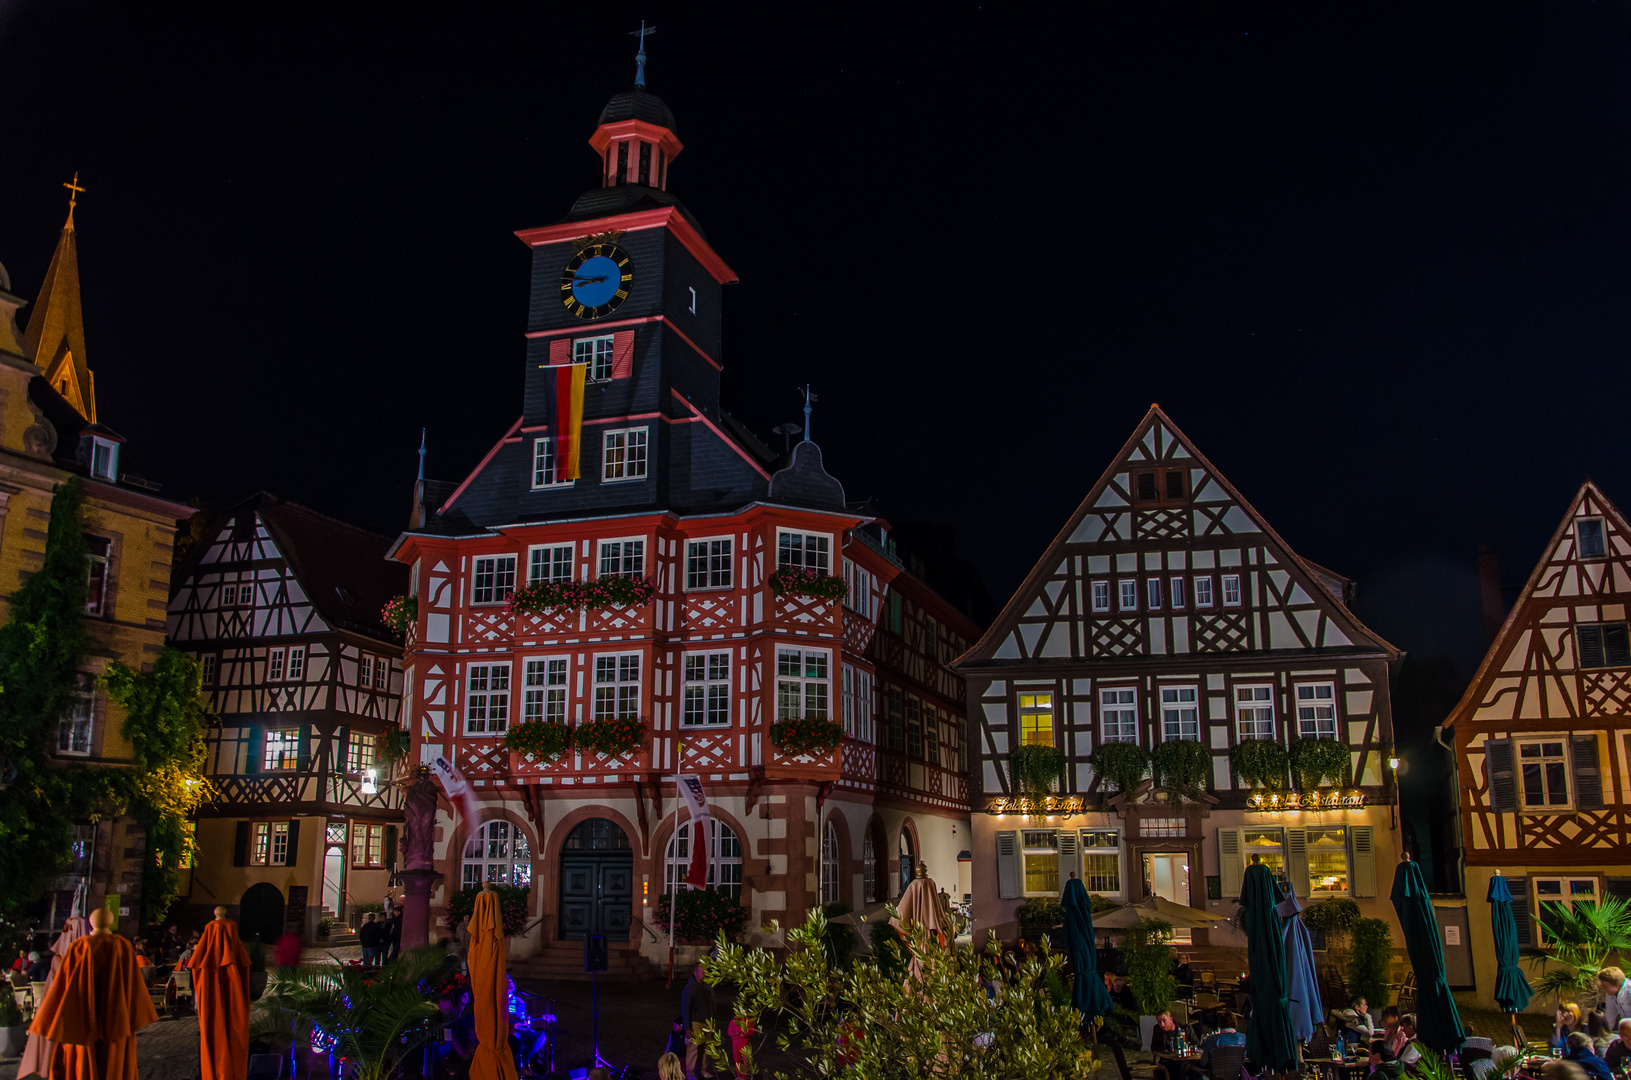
(865, 1024)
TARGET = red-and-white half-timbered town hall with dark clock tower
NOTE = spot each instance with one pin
(670, 490)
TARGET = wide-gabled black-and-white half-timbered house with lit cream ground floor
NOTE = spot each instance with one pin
(1169, 609)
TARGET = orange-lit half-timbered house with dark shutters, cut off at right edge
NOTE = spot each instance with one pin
(1544, 735)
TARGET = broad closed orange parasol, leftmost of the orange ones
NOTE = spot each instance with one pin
(95, 1007)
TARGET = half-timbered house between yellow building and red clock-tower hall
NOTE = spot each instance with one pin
(281, 606)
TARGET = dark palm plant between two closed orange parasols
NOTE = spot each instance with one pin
(371, 1020)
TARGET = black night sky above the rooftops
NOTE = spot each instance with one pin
(1374, 260)
